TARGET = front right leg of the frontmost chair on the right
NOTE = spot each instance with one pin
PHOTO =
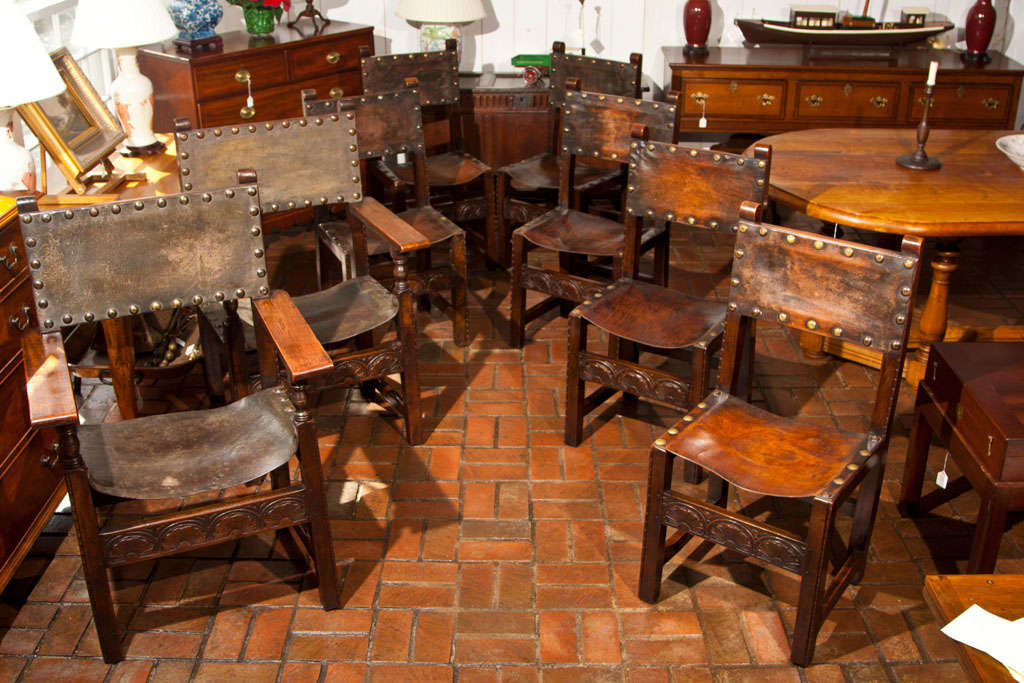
(814, 584)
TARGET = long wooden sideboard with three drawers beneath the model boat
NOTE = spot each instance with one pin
(776, 90)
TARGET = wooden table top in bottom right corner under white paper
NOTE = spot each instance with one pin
(1001, 594)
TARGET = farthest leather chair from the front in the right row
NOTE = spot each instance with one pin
(525, 191)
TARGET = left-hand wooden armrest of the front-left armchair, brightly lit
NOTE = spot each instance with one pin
(52, 401)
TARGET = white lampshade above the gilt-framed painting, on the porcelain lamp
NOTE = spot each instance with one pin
(121, 24)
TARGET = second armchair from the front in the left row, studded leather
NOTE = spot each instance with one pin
(314, 162)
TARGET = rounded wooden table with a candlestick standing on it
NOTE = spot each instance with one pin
(850, 177)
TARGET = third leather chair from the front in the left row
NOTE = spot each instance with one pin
(392, 123)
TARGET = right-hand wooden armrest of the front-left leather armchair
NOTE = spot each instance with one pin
(302, 354)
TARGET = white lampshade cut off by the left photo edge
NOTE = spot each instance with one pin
(29, 75)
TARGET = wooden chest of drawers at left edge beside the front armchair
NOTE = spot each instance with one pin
(31, 483)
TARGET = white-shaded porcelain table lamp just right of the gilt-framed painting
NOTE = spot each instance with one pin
(125, 25)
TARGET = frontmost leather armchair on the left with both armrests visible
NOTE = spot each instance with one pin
(116, 261)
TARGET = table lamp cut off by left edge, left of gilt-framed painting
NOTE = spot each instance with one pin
(31, 77)
